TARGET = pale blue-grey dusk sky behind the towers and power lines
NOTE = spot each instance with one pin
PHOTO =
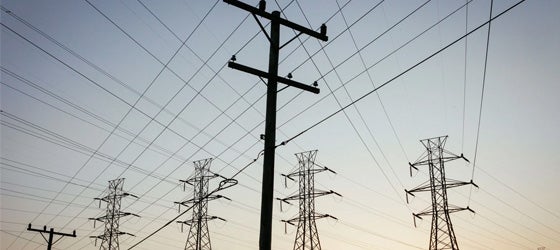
(93, 91)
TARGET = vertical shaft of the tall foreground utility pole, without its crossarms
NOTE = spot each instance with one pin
(270, 136)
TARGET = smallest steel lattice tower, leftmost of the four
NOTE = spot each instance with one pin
(110, 237)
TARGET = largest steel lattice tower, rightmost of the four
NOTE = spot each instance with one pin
(442, 235)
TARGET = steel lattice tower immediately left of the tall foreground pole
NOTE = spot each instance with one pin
(199, 236)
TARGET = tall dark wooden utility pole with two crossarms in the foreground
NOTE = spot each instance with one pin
(272, 88)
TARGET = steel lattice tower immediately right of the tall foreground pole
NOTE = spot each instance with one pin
(307, 236)
